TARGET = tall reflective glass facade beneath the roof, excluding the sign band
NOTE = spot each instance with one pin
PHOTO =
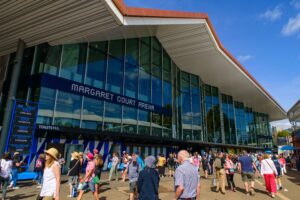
(141, 69)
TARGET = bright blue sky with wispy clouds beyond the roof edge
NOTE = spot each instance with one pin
(263, 35)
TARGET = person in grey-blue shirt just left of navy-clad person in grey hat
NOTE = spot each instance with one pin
(133, 174)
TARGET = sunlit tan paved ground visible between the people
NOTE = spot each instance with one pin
(117, 190)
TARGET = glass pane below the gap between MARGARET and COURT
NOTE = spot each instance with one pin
(113, 113)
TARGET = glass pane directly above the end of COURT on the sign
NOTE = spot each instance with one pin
(131, 81)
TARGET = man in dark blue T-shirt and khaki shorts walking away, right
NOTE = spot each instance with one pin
(246, 166)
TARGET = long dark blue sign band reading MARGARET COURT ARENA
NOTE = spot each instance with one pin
(55, 82)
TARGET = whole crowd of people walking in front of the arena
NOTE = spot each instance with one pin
(144, 175)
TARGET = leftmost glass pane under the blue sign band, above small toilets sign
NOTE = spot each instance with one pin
(46, 106)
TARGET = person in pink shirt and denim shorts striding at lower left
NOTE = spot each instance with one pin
(87, 182)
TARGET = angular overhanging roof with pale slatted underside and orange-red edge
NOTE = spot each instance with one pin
(188, 37)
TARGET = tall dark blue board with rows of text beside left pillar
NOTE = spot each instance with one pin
(22, 127)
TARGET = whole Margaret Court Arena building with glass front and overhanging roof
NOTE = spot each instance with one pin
(99, 74)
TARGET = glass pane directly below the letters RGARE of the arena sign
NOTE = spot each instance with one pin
(92, 114)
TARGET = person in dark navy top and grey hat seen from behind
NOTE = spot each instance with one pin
(148, 181)
